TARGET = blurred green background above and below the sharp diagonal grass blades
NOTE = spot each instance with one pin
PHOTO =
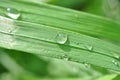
(16, 65)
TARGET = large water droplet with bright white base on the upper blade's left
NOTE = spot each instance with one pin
(13, 13)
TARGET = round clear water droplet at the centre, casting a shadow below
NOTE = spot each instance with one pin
(61, 38)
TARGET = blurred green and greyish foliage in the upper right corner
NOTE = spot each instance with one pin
(106, 8)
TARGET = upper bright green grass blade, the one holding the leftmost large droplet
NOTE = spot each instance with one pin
(65, 18)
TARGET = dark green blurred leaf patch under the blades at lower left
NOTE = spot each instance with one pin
(30, 62)
